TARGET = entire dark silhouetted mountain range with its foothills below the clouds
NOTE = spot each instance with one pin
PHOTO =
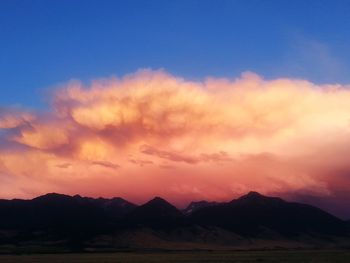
(56, 222)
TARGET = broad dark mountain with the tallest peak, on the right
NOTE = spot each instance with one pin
(253, 214)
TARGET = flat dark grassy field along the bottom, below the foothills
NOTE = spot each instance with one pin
(323, 256)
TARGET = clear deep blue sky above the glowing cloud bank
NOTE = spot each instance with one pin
(46, 43)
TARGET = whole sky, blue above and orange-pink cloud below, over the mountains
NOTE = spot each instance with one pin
(188, 100)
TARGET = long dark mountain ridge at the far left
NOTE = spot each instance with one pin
(60, 211)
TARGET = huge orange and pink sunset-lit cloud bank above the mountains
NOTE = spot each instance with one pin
(152, 133)
